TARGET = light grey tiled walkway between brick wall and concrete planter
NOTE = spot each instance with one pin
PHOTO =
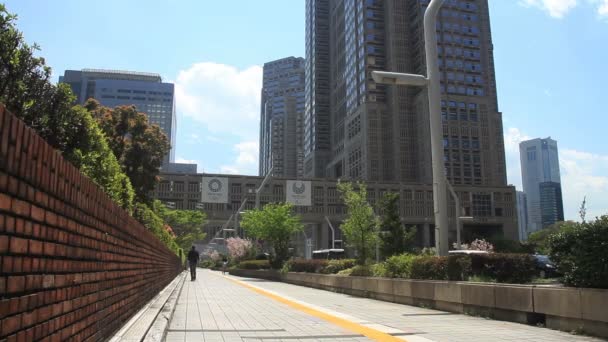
(215, 308)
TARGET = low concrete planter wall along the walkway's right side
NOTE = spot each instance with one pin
(569, 309)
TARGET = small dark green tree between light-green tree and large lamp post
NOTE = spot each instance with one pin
(395, 238)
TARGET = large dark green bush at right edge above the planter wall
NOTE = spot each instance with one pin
(581, 253)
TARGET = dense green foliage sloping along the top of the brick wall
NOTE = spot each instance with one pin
(26, 91)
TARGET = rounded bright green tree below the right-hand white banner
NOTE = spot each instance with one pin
(276, 224)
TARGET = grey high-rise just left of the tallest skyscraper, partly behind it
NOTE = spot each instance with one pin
(281, 115)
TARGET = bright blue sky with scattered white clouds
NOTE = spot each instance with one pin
(550, 59)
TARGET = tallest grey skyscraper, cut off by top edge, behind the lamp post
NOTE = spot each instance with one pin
(358, 129)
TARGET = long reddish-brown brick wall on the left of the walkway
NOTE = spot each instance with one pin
(73, 265)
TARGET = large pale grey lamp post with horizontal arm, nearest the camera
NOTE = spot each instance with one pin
(431, 82)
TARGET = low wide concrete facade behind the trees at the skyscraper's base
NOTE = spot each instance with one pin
(492, 207)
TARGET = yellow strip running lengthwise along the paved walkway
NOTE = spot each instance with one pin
(345, 321)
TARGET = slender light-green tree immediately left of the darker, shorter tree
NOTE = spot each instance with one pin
(359, 228)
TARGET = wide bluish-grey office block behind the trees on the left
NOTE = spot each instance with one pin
(146, 91)
